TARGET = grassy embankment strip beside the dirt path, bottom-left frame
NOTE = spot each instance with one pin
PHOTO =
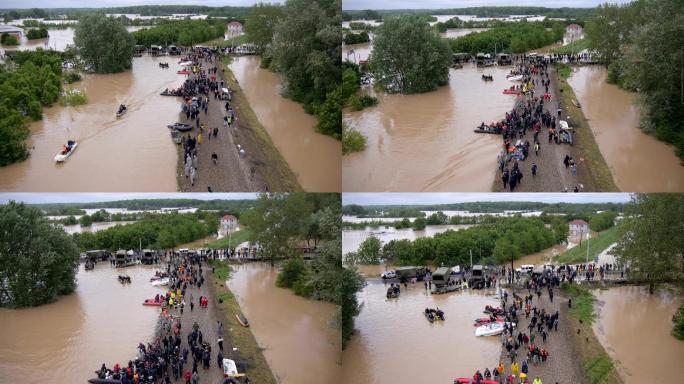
(251, 357)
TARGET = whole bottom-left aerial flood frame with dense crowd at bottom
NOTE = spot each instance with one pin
(182, 288)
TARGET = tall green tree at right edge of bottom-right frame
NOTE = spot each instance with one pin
(653, 243)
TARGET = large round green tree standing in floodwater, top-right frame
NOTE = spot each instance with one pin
(408, 56)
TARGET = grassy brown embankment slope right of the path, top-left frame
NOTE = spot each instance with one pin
(276, 172)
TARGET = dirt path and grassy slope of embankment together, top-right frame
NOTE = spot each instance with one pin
(593, 173)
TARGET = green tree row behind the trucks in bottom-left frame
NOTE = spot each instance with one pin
(162, 231)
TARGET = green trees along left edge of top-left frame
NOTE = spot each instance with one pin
(34, 81)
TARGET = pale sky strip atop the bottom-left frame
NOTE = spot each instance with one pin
(42, 198)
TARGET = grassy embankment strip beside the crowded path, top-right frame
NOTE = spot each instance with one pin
(593, 169)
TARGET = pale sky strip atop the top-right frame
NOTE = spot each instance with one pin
(437, 4)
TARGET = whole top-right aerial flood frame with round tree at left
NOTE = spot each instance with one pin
(501, 97)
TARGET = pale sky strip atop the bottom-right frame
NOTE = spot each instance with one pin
(450, 198)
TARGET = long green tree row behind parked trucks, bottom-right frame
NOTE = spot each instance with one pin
(503, 241)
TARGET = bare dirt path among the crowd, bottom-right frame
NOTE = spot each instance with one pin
(563, 366)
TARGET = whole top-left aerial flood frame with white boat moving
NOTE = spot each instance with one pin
(168, 98)
